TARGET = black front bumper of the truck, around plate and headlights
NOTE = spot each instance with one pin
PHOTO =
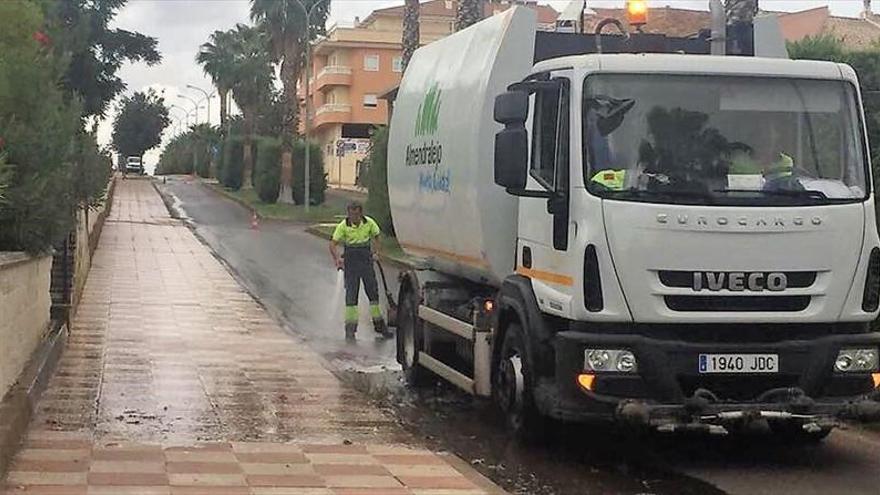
(668, 392)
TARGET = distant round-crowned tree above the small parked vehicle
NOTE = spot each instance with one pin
(139, 124)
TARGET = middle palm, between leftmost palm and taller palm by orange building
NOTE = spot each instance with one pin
(251, 84)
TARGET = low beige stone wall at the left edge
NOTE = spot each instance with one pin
(24, 311)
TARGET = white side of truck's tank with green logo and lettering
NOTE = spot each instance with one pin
(444, 202)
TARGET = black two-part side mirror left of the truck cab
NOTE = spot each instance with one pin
(512, 142)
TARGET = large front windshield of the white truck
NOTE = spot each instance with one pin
(722, 140)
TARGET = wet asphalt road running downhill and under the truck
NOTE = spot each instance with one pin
(289, 271)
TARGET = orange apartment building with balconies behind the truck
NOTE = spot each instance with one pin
(352, 66)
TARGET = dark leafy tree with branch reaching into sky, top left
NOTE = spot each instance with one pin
(80, 34)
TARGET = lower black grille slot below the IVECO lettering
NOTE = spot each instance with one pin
(737, 303)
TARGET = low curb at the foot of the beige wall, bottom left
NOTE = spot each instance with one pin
(17, 408)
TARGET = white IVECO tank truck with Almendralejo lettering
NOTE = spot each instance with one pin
(676, 242)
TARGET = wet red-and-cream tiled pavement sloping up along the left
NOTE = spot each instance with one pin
(176, 381)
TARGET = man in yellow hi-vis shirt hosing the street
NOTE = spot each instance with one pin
(359, 234)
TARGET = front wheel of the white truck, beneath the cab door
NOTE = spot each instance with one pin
(512, 387)
